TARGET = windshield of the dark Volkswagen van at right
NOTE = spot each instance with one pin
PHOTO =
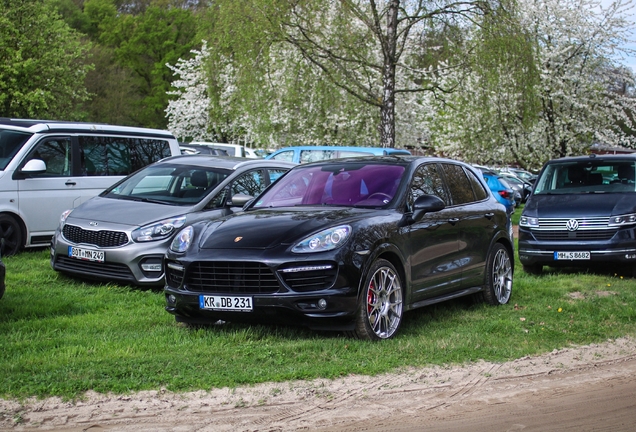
(587, 177)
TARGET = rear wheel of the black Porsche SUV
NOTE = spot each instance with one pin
(498, 286)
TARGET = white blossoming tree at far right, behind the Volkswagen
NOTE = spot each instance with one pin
(571, 103)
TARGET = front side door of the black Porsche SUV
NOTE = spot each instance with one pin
(432, 242)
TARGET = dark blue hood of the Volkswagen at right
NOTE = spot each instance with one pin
(579, 205)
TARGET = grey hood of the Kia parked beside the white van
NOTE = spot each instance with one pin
(133, 213)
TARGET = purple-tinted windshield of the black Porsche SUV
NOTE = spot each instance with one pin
(340, 184)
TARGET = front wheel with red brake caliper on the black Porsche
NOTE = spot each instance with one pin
(380, 306)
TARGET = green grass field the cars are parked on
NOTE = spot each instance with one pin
(61, 336)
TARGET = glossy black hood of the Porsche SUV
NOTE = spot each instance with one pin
(267, 228)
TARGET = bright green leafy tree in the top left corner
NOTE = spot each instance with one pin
(42, 66)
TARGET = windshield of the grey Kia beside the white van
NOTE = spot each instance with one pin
(168, 184)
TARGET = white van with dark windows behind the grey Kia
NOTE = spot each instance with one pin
(47, 167)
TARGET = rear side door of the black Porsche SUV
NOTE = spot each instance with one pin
(475, 222)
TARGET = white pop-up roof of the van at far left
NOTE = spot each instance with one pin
(39, 126)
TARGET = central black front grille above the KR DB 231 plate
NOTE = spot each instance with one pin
(231, 277)
